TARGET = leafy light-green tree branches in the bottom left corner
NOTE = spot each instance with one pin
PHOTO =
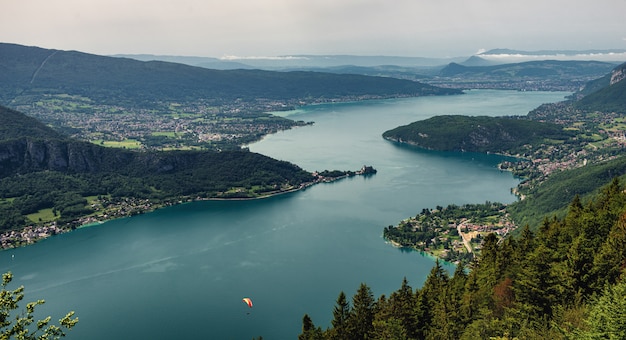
(17, 326)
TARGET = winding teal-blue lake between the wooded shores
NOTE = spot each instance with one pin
(181, 272)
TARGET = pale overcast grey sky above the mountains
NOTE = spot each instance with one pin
(212, 28)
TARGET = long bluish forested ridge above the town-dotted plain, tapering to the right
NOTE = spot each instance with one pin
(31, 70)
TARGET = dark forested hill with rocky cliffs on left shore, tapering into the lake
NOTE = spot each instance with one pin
(43, 175)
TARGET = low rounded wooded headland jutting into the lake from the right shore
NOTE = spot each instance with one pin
(477, 134)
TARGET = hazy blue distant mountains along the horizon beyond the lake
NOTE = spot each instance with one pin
(564, 69)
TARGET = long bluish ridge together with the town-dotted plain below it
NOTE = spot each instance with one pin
(162, 105)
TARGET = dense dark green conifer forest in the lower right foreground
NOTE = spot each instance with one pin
(564, 281)
